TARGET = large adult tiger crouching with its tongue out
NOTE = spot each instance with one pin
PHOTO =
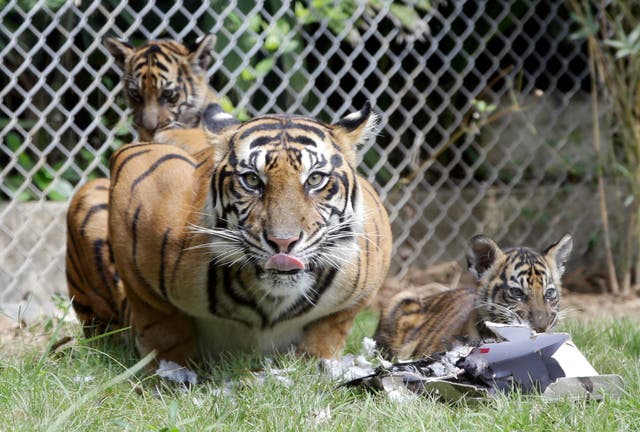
(267, 239)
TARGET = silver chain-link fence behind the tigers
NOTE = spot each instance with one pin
(484, 107)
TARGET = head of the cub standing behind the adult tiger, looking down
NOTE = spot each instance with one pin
(165, 82)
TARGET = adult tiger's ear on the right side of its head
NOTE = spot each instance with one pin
(354, 129)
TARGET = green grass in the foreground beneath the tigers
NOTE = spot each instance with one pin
(90, 386)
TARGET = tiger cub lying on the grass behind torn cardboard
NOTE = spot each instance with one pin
(515, 286)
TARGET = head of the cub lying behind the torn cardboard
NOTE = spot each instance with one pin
(519, 285)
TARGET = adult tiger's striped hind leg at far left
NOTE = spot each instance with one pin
(95, 288)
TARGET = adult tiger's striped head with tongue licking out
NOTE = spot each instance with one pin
(287, 197)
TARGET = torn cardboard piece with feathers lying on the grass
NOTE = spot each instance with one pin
(545, 363)
